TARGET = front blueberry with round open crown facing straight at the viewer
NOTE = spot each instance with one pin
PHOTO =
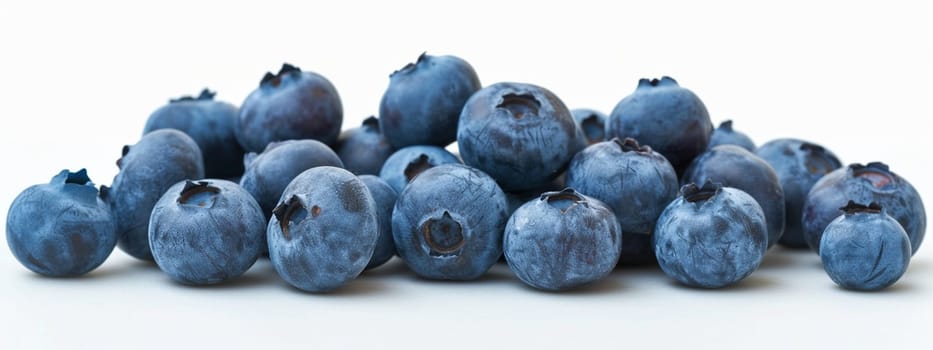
(448, 223)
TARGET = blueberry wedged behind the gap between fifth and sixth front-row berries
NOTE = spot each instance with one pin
(633, 180)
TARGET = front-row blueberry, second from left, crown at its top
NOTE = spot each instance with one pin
(206, 231)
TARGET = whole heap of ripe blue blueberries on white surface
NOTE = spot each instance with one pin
(563, 195)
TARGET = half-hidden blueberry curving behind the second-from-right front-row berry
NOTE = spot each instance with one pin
(733, 166)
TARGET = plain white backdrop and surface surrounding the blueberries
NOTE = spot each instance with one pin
(78, 80)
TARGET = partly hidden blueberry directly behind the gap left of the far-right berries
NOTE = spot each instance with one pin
(799, 164)
